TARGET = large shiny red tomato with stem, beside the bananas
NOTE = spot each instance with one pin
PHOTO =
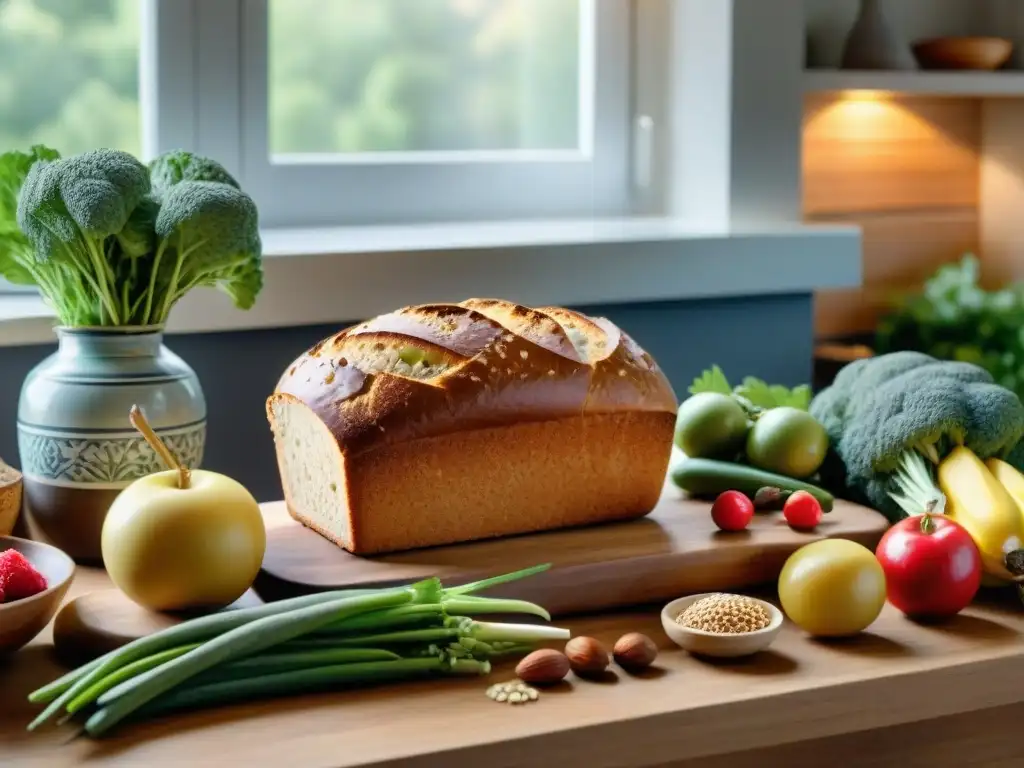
(932, 567)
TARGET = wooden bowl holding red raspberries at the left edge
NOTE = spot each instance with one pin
(23, 620)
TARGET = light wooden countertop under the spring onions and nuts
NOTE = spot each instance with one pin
(798, 700)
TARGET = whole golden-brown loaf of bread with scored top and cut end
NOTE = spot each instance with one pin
(449, 423)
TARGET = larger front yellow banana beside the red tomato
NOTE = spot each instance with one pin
(979, 502)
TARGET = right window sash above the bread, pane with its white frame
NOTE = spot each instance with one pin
(397, 111)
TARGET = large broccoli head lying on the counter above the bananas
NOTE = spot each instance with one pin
(882, 412)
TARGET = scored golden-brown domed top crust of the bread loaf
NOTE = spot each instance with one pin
(435, 370)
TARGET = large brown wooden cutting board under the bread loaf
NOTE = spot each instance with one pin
(674, 551)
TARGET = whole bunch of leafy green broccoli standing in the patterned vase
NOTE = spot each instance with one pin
(112, 242)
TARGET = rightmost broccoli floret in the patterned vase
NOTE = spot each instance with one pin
(211, 232)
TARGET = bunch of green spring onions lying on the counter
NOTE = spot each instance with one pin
(319, 643)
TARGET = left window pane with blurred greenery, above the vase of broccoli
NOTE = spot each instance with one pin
(69, 74)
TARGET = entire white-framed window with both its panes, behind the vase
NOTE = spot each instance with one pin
(342, 112)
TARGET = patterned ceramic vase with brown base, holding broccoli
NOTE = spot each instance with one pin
(78, 449)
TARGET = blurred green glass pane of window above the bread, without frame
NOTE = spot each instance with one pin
(478, 77)
